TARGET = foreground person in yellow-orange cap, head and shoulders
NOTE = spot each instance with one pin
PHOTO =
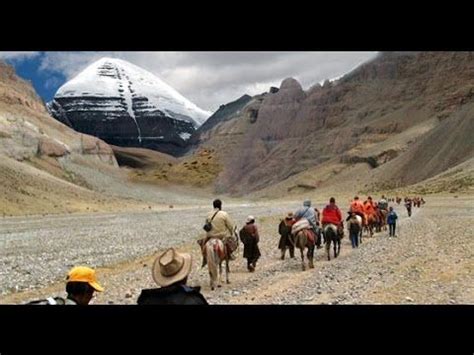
(80, 287)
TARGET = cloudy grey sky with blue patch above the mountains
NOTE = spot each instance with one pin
(209, 79)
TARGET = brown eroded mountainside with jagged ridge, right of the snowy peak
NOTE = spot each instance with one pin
(372, 116)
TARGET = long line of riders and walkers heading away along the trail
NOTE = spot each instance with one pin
(368, 216)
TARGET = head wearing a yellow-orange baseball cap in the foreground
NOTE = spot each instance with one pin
(81, 284)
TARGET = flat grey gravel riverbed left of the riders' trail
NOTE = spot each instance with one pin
(37, 251)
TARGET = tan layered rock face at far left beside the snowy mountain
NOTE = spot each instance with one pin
(27, 130)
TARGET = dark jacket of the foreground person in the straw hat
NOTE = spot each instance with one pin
(173, 294)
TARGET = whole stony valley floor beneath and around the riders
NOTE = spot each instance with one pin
(429, 262)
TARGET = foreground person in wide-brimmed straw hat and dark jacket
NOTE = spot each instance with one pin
(170, 271)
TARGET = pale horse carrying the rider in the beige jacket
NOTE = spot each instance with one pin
(216, 253)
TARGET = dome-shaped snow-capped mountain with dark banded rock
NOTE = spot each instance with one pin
(126, 105)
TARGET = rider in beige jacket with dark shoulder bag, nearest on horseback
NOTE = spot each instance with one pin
(222, 227)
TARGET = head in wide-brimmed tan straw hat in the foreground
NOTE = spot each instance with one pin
(171, 267)
